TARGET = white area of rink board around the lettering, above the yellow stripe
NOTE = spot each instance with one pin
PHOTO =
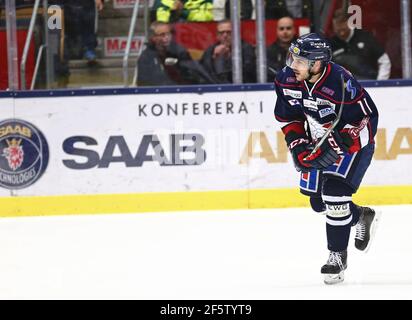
(225, 133)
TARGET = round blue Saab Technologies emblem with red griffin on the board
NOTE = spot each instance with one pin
(24, 154)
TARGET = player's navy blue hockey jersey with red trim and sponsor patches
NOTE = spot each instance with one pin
(312, 108)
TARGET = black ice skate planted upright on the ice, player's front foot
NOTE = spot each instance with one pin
(333, 270)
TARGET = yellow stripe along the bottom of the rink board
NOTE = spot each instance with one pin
(184, 201)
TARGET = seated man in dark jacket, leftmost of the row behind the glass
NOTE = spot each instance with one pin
(164, 62)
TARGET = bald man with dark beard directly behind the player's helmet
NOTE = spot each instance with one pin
(277, 51)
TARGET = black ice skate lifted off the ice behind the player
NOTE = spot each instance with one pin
(365, 228)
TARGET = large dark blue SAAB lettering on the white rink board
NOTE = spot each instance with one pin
(184, 149)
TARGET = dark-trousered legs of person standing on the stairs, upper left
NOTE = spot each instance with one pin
(80, 16)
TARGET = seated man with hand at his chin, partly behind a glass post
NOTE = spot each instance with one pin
(217, 59)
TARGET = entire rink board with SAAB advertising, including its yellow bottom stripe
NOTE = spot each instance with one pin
(142, 152)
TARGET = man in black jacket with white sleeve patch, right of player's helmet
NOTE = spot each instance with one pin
(358, 50)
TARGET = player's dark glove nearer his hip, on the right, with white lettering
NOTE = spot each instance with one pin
(327, 154)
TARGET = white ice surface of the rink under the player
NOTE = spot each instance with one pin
(244, 254)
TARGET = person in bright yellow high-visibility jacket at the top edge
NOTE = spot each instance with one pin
(182, 10)
